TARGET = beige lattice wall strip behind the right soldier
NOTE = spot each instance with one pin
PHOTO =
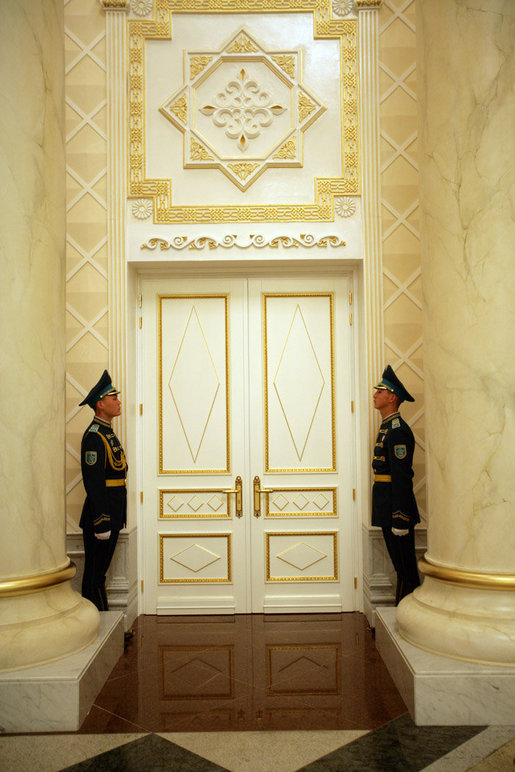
(399, 212)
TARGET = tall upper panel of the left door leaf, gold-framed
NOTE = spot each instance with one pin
(193, 397)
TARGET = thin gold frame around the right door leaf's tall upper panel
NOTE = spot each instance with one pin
(330, 297)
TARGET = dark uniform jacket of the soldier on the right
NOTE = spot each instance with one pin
(393, 501)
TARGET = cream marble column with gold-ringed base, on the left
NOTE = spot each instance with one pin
(41, 617)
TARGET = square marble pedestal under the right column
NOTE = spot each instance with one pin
(439, 691)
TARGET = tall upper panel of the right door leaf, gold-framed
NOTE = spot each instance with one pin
(299, 382)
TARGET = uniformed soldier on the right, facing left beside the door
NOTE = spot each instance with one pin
(394, 508)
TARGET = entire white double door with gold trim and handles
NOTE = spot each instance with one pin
(247, 446)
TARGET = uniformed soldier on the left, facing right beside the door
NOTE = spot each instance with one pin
(104, 471)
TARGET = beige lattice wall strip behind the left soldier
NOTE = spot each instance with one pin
(86, 242)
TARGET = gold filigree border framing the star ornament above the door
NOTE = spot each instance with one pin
(325, 189)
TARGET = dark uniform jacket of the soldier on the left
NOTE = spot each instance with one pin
(104, 469)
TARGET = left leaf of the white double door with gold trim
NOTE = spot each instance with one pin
(191, 355)
